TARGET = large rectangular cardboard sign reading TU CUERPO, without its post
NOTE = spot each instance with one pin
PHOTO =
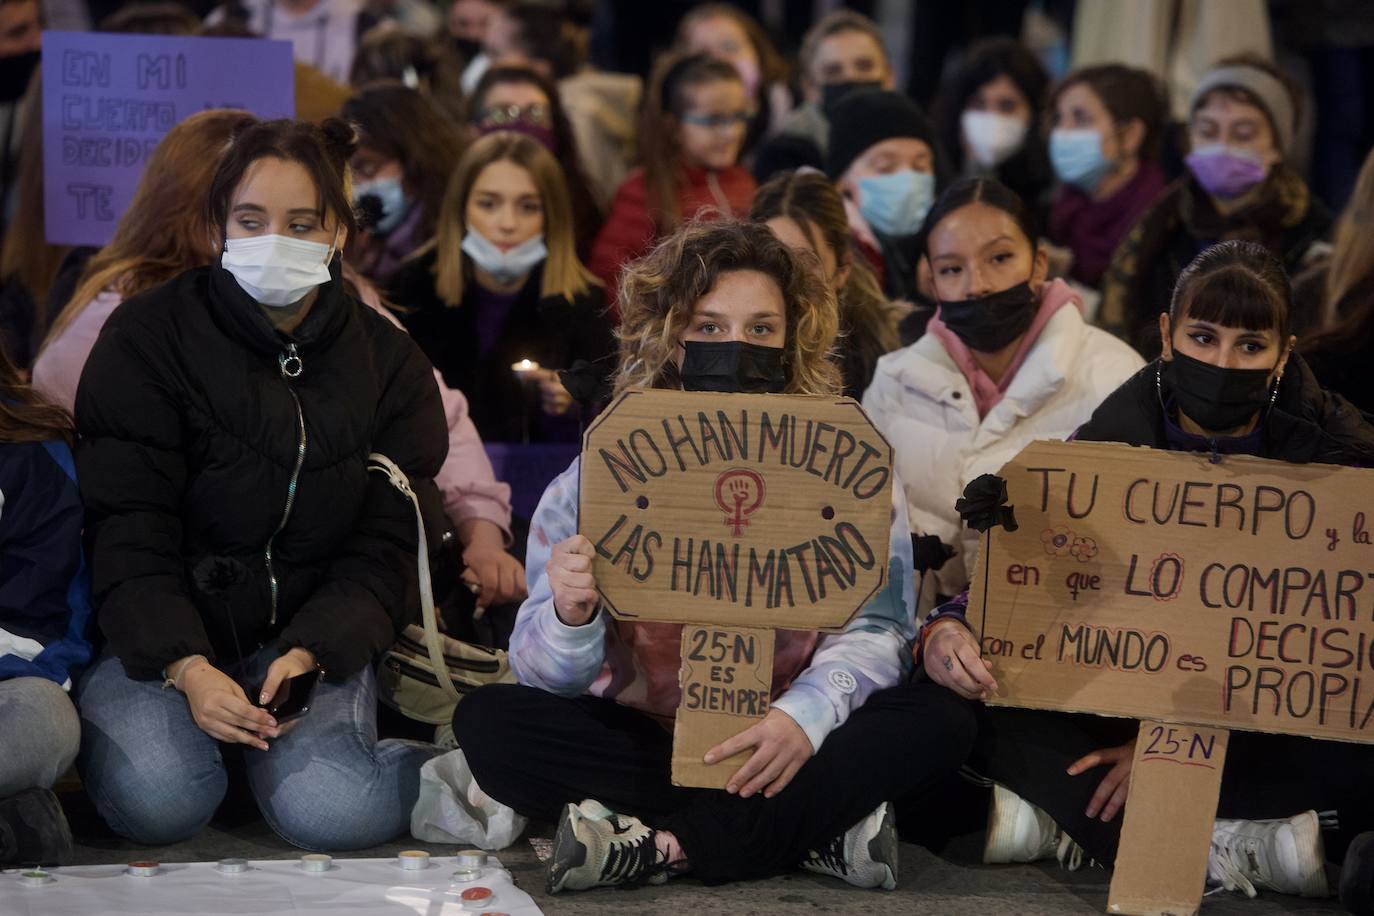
(1163, 586)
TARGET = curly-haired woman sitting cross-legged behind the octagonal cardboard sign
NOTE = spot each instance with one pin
(718, 307)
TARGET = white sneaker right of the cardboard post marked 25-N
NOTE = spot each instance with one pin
(1284, 856)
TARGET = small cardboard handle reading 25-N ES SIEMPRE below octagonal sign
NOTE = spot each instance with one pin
(726, 680)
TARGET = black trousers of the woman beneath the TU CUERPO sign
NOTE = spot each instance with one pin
(1266, 777)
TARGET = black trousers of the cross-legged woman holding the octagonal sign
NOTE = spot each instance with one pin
(538, 752)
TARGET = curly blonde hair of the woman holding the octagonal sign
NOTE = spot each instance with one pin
(660, 293)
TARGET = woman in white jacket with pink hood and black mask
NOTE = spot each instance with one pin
(1006, 360)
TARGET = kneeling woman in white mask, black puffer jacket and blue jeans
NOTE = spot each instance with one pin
(248, 566)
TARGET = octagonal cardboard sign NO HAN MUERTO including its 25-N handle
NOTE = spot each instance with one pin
(737, 514)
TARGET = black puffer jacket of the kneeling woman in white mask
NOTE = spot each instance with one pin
(192, 435)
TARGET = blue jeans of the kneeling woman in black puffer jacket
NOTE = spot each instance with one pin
(326, 785)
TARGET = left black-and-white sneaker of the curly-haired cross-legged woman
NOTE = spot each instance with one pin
(598, 848)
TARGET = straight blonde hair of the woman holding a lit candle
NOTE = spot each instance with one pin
(564, 274)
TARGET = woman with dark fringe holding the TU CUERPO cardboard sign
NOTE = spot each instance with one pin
(1228, 384)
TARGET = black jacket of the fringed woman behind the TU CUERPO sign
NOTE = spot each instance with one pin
(1306, 425)
